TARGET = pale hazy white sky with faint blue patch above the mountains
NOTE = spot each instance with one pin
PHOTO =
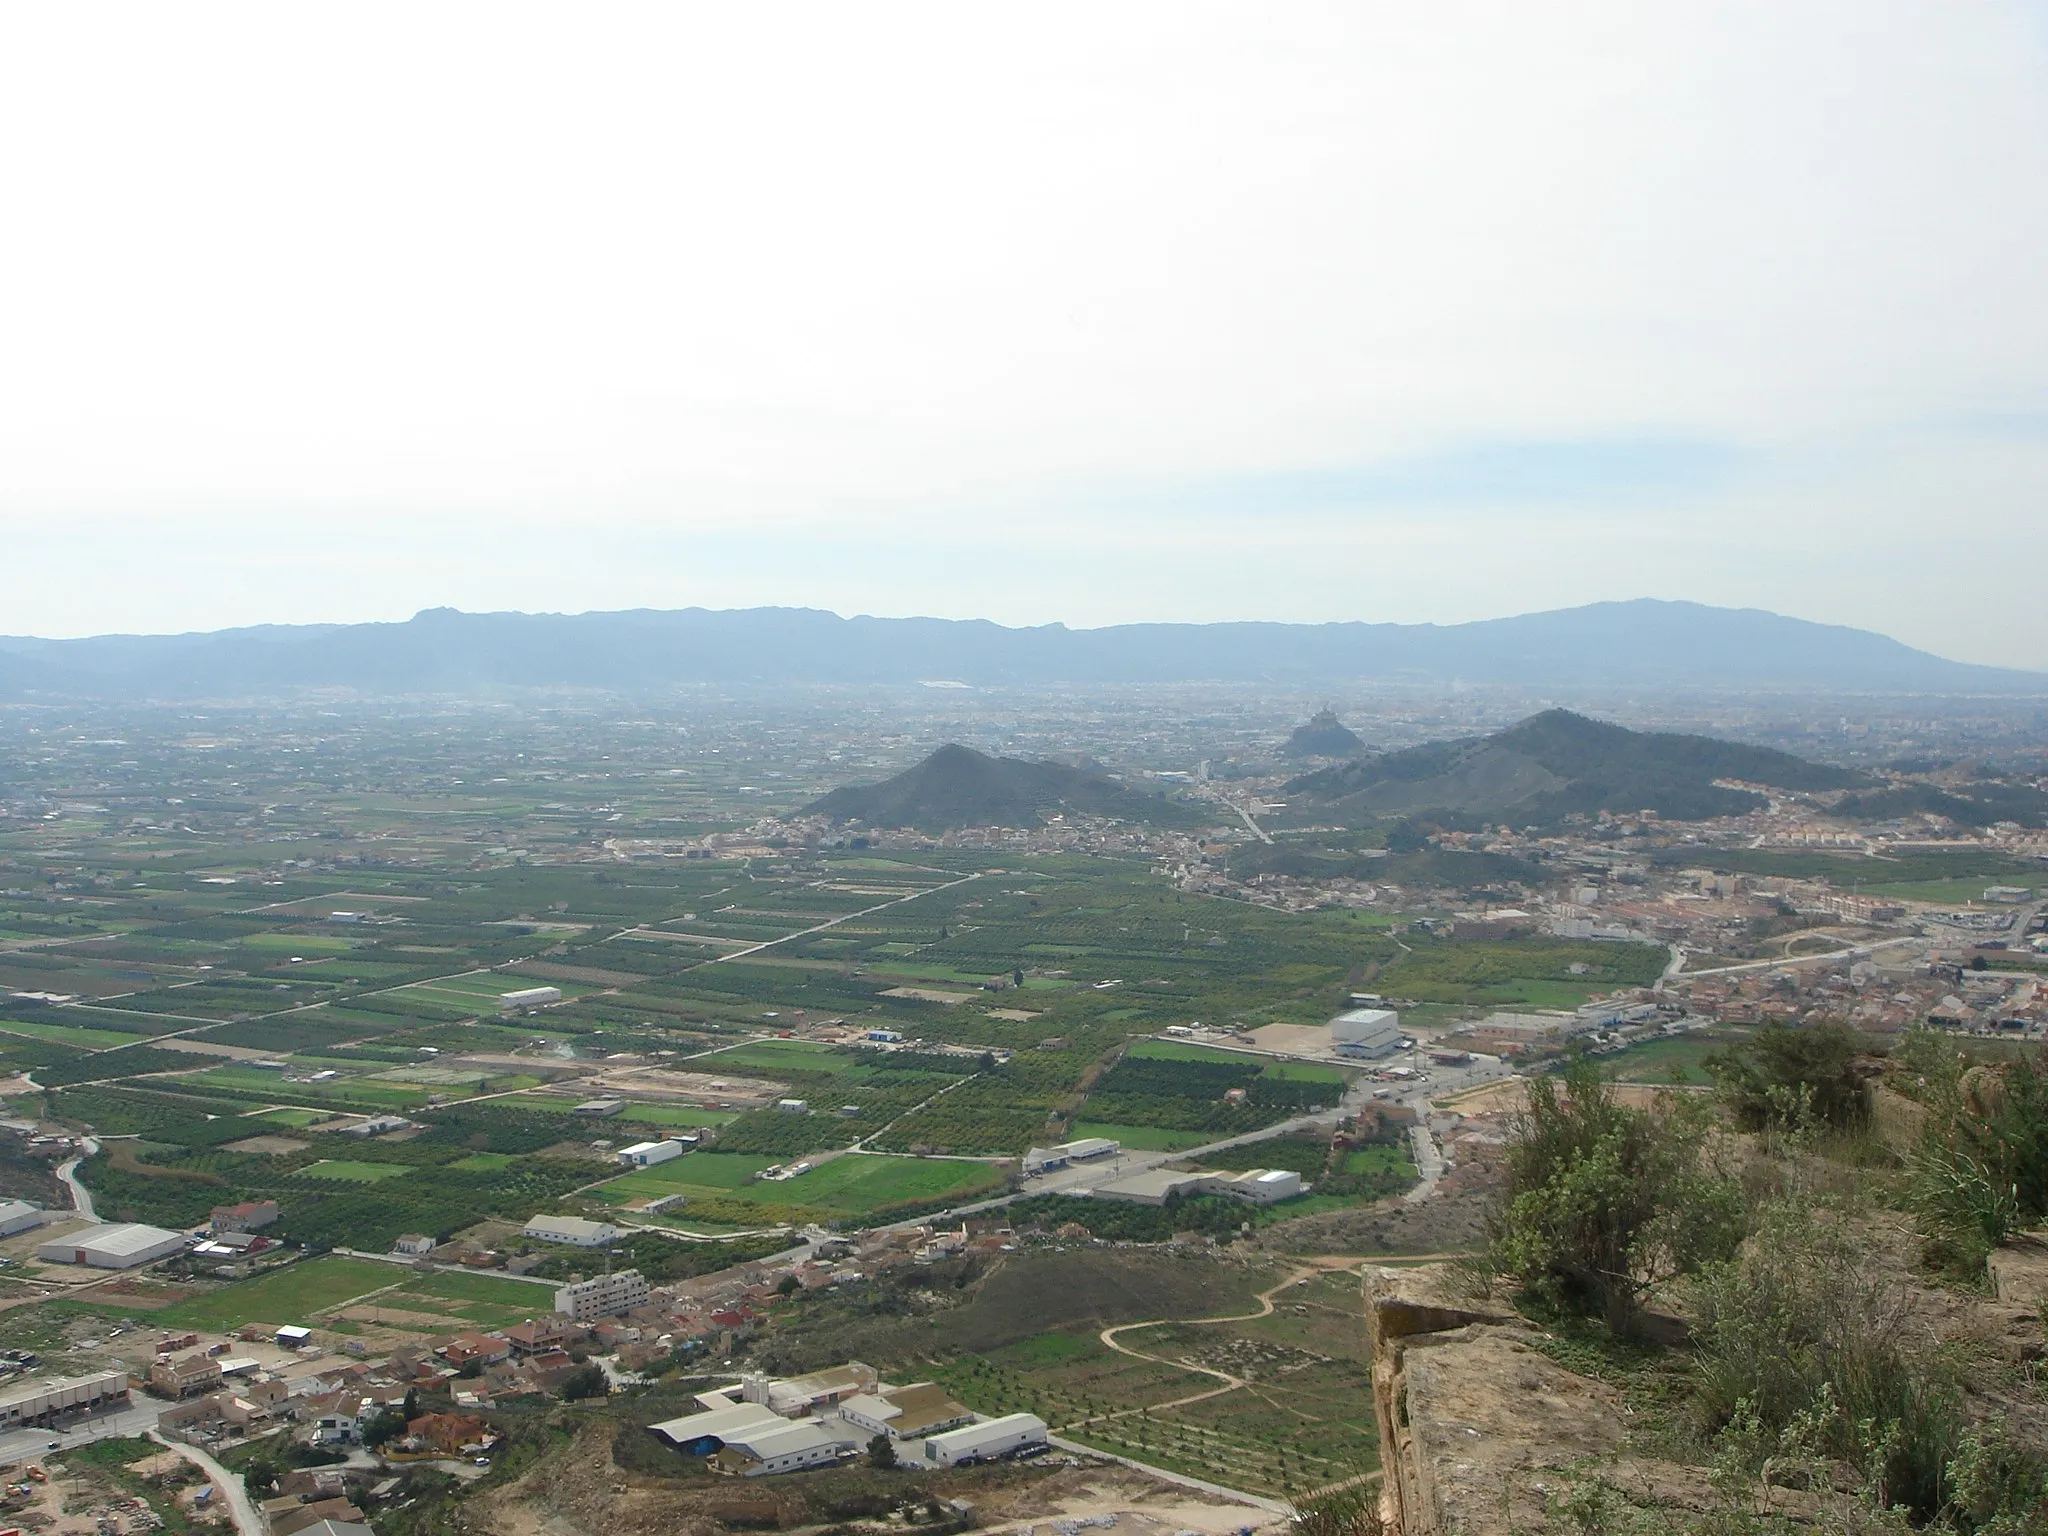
(1037, 312)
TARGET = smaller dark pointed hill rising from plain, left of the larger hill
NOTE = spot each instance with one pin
(959, 787)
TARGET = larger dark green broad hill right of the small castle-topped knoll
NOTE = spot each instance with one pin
(1560, 763)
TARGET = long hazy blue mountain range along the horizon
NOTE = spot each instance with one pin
(441, 650)
